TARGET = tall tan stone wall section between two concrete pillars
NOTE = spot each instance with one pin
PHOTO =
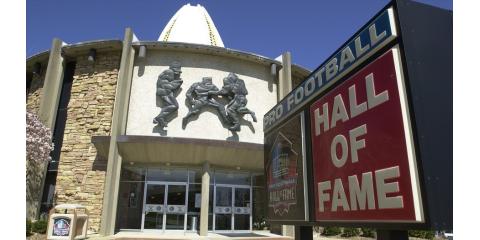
(81, 173)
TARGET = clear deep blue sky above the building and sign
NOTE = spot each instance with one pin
(310, 30)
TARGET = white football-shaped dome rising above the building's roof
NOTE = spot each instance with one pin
(191, 24)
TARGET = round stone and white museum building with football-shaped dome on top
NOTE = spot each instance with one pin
(160, 135)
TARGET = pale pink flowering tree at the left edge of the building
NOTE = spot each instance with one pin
(39, 140)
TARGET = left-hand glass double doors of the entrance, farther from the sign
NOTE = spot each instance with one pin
(165, 206)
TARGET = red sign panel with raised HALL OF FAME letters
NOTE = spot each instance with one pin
(363, 156)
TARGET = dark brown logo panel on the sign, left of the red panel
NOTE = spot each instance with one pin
(284, 167)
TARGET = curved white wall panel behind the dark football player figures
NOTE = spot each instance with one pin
(145, 105)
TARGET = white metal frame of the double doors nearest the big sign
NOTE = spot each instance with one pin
(232, 214)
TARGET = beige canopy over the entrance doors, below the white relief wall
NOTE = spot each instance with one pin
(184, 151)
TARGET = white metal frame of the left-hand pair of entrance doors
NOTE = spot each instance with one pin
(165, 204)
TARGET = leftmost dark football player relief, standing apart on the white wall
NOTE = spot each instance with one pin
(168, 83)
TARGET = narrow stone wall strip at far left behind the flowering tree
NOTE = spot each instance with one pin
(34, 171)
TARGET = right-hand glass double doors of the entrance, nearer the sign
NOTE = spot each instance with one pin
(232, 208)
